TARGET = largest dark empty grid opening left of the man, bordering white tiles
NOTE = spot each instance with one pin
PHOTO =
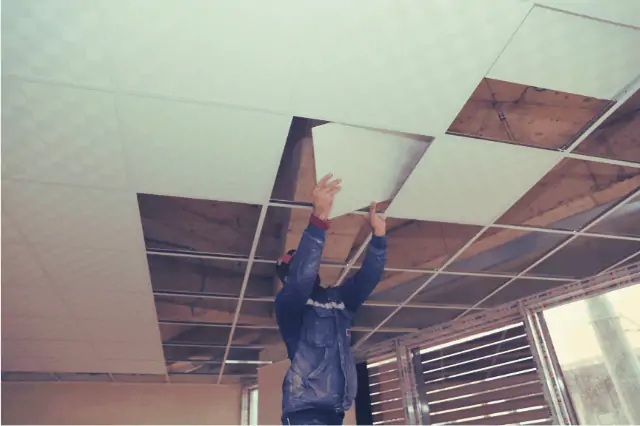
(198, 225)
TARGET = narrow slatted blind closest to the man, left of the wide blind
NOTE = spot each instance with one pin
(386, 396)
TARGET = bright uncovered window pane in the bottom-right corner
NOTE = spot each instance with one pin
(597, 344)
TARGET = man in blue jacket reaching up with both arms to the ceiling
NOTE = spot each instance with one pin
(315, 320)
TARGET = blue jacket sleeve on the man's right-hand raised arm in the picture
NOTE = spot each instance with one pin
(357, 288)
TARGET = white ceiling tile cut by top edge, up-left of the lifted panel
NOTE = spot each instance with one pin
(206, 50)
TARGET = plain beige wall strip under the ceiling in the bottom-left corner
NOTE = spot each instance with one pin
(119, 403)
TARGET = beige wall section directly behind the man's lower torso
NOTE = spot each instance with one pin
(270, 395)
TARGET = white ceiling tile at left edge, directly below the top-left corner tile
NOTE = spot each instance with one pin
(61, 134)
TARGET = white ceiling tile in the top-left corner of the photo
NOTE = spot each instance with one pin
(61, 40)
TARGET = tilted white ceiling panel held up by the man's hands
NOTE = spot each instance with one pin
(373, 165)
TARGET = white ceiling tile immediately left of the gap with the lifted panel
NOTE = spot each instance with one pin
(200, 151)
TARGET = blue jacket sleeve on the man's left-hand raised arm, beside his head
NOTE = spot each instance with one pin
(304, 268)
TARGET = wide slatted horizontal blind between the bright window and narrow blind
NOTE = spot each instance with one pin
(487, 379)
